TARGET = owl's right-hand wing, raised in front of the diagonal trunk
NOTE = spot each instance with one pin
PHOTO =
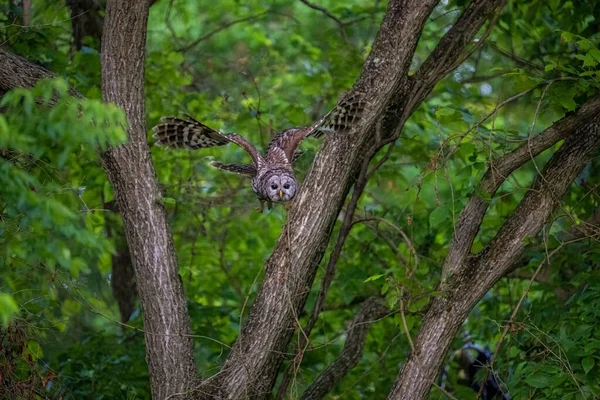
(340, 119)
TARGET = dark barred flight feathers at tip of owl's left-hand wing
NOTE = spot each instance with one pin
(179, 133)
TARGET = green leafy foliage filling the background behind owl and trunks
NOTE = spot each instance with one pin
(256, 67)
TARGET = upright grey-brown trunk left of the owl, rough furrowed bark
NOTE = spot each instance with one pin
(169, 346)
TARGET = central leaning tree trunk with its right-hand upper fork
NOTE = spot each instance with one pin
(252, 365)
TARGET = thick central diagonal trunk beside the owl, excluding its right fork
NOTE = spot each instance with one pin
(252, 366)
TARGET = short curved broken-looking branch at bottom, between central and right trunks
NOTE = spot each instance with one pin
(373, 309)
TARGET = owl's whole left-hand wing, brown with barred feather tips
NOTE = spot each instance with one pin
(192, 134)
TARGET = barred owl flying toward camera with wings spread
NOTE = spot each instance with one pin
(271, 174)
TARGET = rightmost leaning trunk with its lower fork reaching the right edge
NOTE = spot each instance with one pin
(466, 283)
